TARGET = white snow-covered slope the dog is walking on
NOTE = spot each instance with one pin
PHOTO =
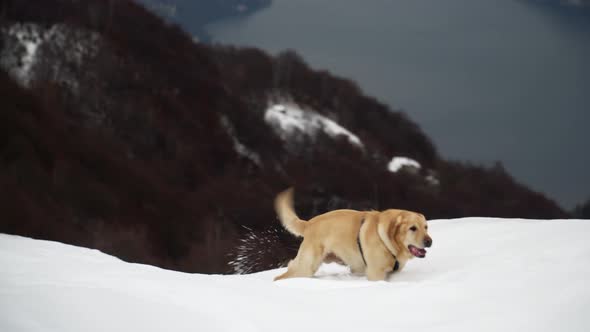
(480, 275)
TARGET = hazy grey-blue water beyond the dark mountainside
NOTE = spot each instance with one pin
(488, 80)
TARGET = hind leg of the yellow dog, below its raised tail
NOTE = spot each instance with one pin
(306, 263)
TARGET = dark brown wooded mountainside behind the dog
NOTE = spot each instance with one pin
(120, 133)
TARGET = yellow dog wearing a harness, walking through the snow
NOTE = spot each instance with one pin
(370, 242)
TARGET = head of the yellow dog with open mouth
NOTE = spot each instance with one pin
(408, 232)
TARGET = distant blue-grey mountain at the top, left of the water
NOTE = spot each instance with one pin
(194, 15)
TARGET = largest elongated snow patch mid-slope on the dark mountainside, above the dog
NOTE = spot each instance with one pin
(289, 119)
